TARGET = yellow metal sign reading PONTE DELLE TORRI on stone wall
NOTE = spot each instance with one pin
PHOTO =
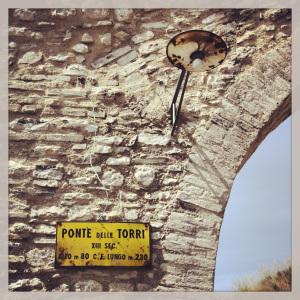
(81, 244)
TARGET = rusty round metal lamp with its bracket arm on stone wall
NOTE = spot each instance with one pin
(193, 51)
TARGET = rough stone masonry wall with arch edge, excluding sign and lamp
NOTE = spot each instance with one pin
(89, 135)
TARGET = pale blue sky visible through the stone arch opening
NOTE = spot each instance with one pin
(256, 230)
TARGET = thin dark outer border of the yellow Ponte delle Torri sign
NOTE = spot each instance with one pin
(148, 266)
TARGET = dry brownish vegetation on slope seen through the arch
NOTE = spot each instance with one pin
(268, 281)
